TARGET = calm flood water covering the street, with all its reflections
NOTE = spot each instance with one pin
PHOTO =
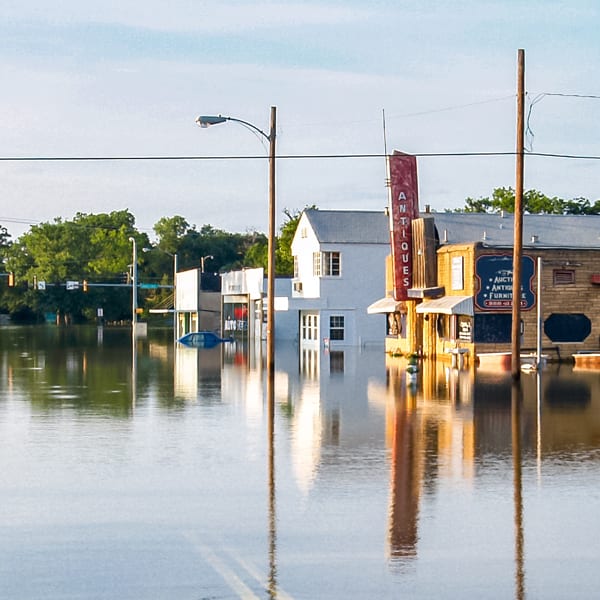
(152, 472)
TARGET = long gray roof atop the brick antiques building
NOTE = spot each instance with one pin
(539, 231)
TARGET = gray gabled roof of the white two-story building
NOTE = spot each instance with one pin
(349, 226)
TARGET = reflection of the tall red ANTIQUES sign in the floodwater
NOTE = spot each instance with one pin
(405, 484)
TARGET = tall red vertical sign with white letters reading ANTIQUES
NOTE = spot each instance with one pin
(404, 207)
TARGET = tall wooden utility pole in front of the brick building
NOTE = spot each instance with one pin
(518, 226)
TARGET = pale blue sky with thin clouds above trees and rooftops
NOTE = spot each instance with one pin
(121, 78)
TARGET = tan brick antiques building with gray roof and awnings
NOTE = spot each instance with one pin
(461, 295)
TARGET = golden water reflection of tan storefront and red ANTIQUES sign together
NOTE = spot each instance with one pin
(431, 435)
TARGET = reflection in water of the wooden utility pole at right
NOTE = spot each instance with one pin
(516, 402)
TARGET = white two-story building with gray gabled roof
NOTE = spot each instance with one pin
(339, 270)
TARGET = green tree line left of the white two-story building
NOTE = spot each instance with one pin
(94, 252)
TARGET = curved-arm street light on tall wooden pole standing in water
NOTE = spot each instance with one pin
(206, 121)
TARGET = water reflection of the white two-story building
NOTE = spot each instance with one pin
(331, 418)
